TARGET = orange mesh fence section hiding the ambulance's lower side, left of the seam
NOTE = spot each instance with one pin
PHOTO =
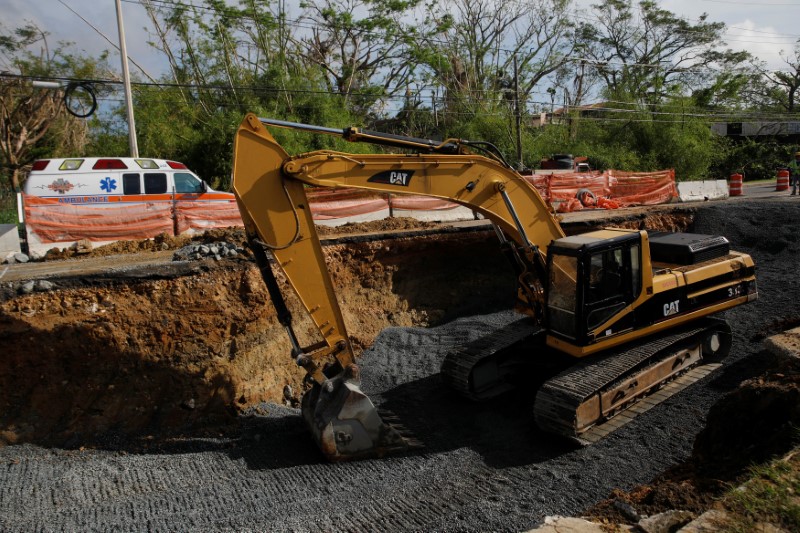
(52, 221)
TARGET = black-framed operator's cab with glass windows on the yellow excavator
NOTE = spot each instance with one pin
(592, 278)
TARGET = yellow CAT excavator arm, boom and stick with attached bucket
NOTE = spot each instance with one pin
(270, 189)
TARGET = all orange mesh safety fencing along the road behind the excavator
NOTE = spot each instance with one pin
(53, 221)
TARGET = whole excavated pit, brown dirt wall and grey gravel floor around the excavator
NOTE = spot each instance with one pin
(169, 378)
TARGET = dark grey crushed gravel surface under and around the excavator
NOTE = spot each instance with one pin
(484, 466)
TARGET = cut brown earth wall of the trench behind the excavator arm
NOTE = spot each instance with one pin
(177, 347)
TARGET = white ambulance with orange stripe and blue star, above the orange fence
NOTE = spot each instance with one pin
(109, 180)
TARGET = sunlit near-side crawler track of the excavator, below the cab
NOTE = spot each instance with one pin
(593, 398)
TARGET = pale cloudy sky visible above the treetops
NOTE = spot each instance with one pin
(762, 28)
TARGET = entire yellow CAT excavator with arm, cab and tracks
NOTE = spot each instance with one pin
(628, 310)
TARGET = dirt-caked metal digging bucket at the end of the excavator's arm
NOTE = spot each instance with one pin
(345, 423)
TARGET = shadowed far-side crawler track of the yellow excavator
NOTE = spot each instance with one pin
(477, 369)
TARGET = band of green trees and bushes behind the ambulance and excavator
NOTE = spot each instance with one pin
(226, 61)
